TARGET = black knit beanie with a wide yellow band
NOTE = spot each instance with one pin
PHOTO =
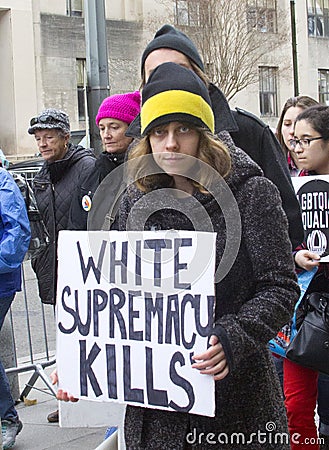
(175, 94)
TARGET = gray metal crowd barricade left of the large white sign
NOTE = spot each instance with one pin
(29, 319)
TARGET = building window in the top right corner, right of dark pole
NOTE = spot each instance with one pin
(318, 17)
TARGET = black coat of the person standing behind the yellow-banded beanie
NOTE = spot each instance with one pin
(257, 140)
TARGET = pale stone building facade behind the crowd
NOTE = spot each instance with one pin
(43, 55)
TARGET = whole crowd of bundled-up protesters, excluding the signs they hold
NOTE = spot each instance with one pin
(180, 124)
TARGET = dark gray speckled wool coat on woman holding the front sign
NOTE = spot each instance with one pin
(252, 302)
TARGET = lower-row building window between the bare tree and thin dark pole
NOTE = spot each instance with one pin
(268, 91)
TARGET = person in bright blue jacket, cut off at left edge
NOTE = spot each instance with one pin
(14, 242)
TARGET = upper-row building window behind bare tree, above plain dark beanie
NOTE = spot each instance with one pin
(191, 13)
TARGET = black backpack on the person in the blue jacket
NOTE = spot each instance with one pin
(39, 234)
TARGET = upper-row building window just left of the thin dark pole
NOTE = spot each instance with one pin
(262, 15)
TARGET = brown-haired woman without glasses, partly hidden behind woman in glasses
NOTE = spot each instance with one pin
(285, 127)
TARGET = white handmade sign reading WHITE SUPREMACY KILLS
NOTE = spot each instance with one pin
(132, 310)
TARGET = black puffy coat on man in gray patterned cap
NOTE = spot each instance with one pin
(56, 188)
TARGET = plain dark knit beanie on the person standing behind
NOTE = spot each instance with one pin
(170, 37)
